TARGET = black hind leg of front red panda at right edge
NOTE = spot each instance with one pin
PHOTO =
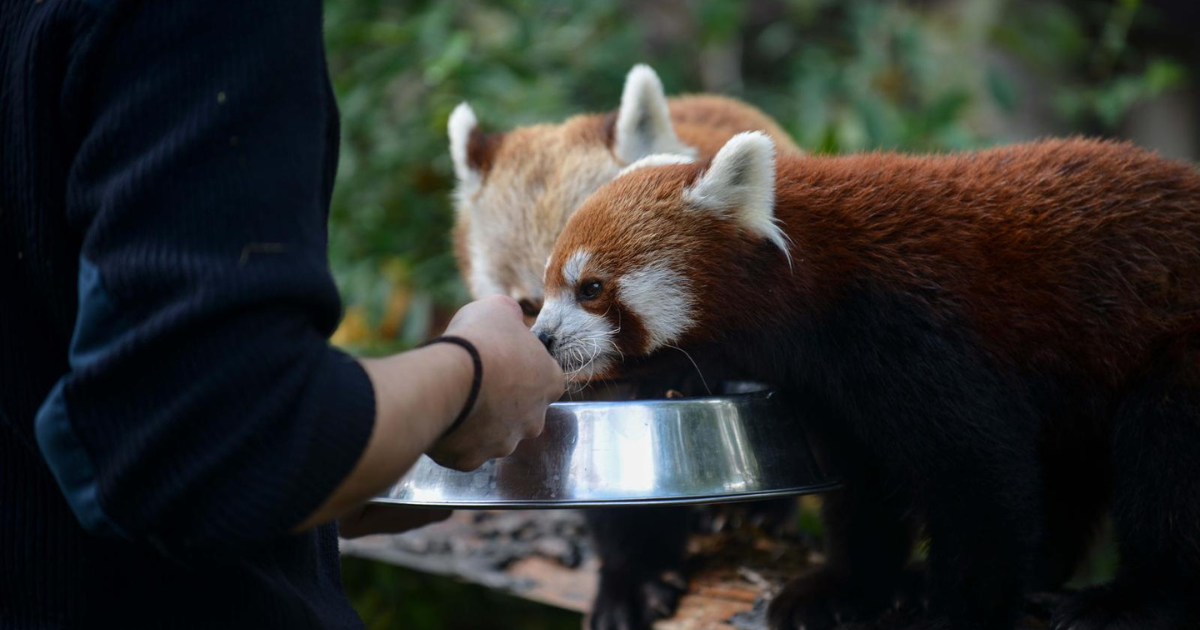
(1156, 506)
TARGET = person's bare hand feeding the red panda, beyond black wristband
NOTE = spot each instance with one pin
(520, 381)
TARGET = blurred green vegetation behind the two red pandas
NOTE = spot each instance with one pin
(839, 75)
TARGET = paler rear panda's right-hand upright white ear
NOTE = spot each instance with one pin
(644, 123)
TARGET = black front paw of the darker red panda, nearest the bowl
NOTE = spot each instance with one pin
(823, 602)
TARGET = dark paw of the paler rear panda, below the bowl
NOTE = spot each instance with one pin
(634, 602)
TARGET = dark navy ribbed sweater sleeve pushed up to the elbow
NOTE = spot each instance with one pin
(205, 405)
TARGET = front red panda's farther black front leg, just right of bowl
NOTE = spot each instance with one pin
(868, 543)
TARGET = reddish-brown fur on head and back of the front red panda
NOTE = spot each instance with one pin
(1065, 256)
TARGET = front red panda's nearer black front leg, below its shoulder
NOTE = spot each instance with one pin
(959, 441)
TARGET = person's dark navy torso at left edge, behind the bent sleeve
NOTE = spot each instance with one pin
(55, 575)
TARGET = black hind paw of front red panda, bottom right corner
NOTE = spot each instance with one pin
(1125, 607)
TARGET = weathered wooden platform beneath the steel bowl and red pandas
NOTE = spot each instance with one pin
(545, 557)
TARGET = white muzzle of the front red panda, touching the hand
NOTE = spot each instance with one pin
(584, 344)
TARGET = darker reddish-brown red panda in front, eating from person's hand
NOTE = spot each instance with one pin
(997, 345)
